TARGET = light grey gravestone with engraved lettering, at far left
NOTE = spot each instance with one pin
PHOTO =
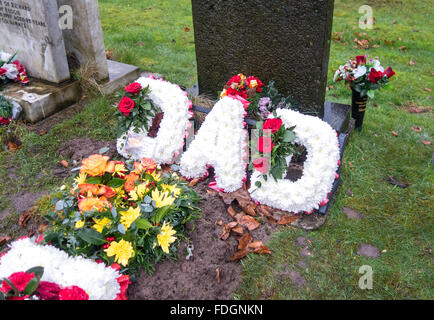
(31, 29)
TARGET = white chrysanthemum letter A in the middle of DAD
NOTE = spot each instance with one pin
(221, 143)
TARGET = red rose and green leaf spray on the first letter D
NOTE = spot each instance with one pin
(136, 110)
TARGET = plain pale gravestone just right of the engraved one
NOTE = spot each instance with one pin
(84, 40)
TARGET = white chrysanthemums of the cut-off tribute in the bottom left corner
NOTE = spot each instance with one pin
(99, 282)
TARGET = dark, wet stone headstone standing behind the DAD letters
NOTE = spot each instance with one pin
(283, 40)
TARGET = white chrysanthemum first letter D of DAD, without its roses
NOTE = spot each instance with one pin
(174, 127)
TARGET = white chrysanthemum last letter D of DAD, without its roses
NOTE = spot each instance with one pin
(311, 191)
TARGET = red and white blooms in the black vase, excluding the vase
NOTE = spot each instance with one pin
(364, 76)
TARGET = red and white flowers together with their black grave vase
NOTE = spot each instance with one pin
(363, 77)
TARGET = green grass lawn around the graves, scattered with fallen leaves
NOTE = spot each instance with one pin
(158, 36)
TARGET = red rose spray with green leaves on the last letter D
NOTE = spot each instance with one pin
(275, 146)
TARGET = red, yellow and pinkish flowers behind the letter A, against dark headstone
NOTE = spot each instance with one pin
(262, 98)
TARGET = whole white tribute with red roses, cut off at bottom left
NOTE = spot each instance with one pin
(54, 275)
